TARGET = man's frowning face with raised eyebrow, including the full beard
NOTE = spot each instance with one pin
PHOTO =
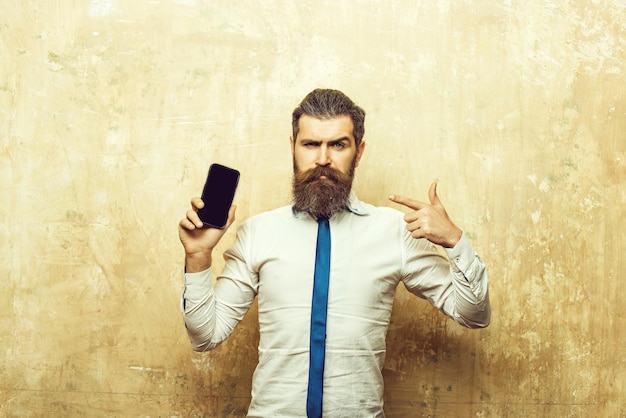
(324, 158)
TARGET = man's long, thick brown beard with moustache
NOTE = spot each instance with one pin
(322, 198)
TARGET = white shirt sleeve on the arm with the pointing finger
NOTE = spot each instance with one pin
(456, 284)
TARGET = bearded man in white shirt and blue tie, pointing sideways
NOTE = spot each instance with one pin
(325, 270)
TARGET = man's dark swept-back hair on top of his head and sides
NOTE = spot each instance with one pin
(328, 104)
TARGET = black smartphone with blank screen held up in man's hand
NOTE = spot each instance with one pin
(217, 195)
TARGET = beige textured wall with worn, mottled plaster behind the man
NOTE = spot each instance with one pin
(111, 112)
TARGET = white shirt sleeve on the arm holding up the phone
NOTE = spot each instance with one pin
(211, 313)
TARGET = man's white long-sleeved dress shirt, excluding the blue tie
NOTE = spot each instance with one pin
(273, 258)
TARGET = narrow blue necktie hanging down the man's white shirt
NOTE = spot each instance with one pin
(318, 321)
